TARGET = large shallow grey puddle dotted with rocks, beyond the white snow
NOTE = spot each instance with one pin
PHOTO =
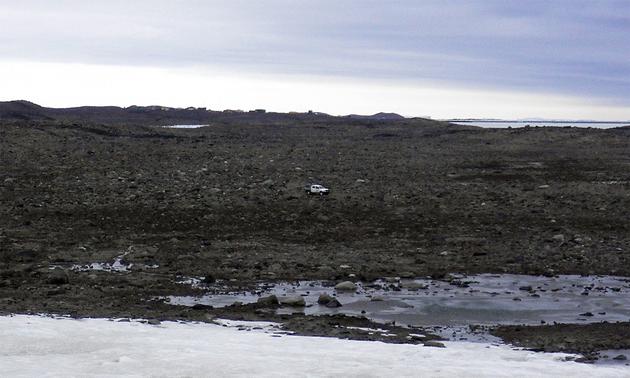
(480, 299)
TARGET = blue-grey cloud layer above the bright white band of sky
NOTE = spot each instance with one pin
(565, 47)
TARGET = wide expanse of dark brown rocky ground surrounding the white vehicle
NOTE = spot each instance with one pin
(409, 198)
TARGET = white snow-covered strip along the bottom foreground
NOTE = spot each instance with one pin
(35, 346)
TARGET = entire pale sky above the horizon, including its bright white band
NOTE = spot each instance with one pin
(566, 59)
